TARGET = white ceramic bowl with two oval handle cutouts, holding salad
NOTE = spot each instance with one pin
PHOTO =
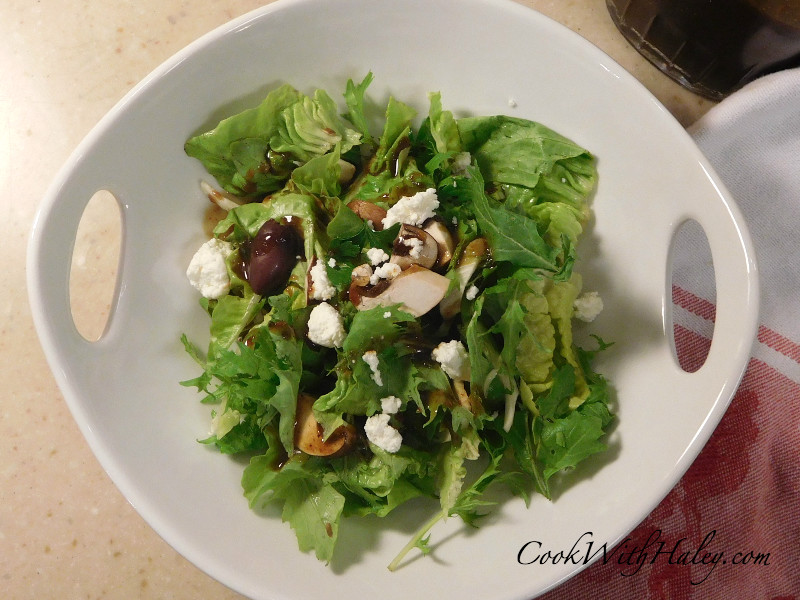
(481, 54)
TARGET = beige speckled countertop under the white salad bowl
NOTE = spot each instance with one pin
(65, 530)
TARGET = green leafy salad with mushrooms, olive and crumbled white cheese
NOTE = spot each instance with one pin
(391, 312)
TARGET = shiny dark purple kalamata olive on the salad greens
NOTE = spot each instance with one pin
(273, 255)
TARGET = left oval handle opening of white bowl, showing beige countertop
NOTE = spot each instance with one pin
(95, 264)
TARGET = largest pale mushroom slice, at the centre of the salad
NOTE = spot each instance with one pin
(417, 289)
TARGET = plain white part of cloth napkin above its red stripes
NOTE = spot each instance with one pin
(753, 141)
